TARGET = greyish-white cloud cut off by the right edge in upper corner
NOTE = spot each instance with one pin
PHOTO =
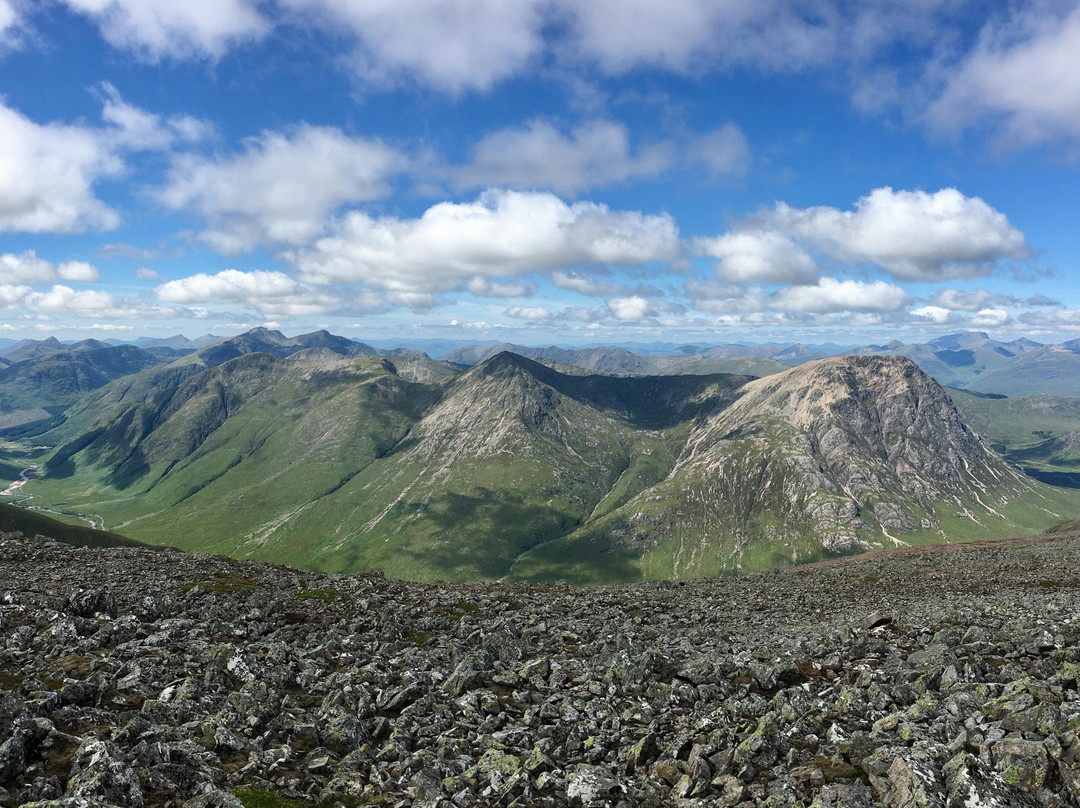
(1022, 76)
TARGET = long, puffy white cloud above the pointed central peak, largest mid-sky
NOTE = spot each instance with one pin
(502, 234)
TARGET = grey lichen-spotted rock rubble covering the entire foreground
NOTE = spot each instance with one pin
(944, 678)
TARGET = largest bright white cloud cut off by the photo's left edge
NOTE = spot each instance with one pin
(47, 177)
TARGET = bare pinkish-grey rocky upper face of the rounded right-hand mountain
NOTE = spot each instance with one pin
(869, 445)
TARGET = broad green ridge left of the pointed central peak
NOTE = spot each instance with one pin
(236, 450)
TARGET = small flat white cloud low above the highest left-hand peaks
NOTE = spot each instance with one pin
(273, 293)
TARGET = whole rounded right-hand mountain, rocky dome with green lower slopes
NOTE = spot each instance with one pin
(832, 457)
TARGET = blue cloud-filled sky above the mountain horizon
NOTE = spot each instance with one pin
(569, 172)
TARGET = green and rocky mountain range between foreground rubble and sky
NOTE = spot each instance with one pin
(329, 454)
